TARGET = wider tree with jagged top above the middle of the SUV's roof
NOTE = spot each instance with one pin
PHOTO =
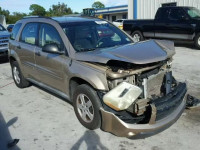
(59, 10)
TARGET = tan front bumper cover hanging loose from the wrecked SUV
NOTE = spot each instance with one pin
(111, 123)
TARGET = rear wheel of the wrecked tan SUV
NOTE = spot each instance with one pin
(18, 77)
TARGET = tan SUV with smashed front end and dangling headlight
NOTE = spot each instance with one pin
(124, 88)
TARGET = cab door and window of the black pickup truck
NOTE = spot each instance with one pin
(173, 25)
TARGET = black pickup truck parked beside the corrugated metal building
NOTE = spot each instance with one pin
(175, 23)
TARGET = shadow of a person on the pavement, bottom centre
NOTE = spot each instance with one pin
(92, 141)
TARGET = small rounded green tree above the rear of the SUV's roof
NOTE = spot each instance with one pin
(37, 10)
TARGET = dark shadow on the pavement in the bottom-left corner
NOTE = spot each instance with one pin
(5, 137)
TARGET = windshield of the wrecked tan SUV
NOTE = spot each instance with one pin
(88, 36)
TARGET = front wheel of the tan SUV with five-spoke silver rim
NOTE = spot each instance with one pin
(88, 113)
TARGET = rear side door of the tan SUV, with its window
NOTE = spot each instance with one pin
(26, 48)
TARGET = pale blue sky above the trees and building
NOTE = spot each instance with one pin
(75, 5)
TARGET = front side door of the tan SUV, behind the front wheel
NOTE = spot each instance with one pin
(50, 67)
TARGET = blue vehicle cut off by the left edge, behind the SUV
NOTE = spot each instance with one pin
(4, 38)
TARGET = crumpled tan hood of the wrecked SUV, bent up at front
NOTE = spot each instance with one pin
(140, 53)
